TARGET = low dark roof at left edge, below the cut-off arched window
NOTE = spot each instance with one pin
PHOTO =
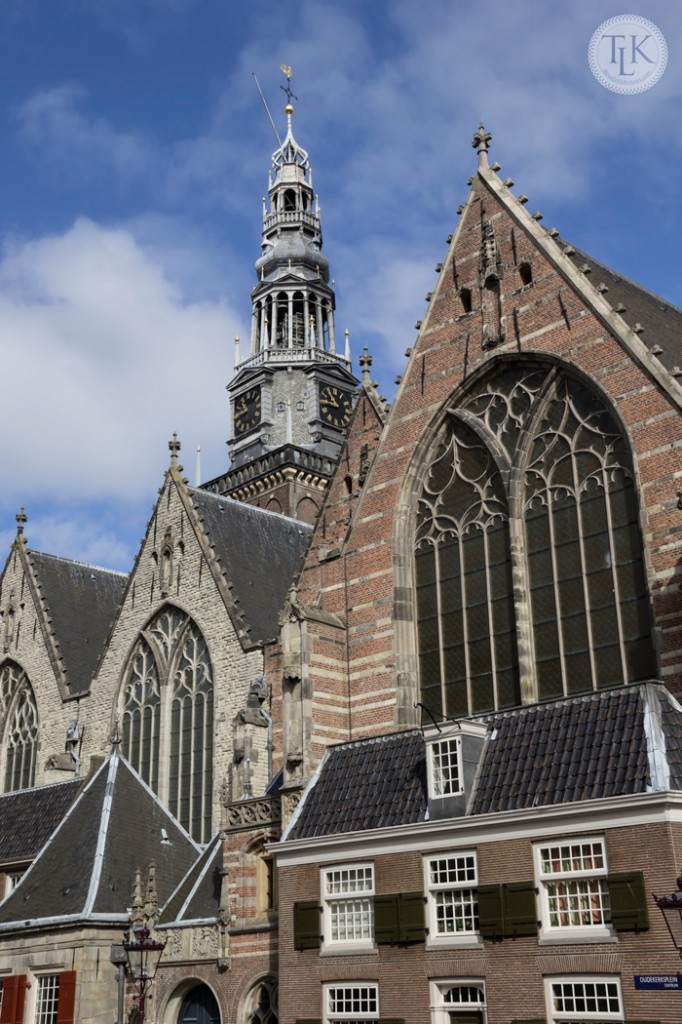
(29, 818)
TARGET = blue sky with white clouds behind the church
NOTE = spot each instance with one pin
(136, 153)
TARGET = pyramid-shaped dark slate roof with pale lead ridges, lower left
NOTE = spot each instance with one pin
(88, 869)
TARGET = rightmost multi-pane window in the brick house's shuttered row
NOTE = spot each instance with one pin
(574, 886)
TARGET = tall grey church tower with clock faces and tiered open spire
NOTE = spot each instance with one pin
(292, 396)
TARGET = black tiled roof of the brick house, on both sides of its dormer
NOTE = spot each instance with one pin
(611, 744)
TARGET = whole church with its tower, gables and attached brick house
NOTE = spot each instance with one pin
(385, 723)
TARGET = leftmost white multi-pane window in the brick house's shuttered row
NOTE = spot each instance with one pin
(349, 904)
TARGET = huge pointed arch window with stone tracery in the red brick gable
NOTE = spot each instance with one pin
(529, 564)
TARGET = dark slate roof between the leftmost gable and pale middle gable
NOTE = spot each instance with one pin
(82, 603)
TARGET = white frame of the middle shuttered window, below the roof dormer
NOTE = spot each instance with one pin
(463, 864)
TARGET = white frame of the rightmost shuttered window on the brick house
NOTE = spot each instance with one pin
(572, 885)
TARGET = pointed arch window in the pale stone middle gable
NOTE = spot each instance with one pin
(167, 717)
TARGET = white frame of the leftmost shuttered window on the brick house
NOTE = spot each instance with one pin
(352, 902)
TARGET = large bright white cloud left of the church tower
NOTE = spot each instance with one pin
(107, 359)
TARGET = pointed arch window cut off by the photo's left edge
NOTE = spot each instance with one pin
(20, 715)
